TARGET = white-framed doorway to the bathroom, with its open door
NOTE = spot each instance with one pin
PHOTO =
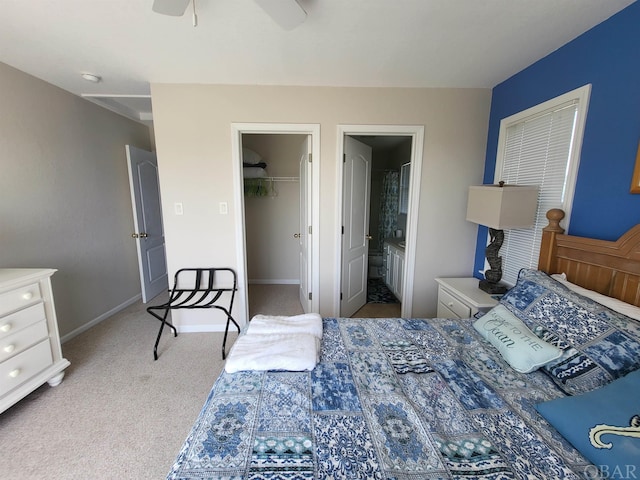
(380, 172)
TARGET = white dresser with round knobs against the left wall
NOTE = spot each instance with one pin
(30, 352)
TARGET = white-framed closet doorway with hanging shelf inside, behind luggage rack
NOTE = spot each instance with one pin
(279, 254)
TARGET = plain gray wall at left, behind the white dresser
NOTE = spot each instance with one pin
(65, 200)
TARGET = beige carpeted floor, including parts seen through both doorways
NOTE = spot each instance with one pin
(118, 414)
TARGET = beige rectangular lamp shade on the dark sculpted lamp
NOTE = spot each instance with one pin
(501, 207)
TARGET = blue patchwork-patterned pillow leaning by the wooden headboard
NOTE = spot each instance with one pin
(598, 344)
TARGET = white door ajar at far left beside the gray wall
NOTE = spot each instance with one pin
(147, 221)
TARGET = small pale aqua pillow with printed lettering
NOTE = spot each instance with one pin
(519, 346)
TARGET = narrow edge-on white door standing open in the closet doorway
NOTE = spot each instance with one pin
(305, 225)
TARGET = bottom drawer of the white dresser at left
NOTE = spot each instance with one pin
(22, 367)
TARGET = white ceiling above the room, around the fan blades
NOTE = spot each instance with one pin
(390, 43)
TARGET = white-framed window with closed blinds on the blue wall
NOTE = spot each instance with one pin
(540, 146)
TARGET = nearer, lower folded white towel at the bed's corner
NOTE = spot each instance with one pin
(292, 352)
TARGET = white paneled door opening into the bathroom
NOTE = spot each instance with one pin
(355, 219)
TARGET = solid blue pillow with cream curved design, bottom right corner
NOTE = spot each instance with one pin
(603, 425)
